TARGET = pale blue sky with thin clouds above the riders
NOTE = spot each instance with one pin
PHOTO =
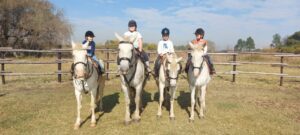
(224, 21)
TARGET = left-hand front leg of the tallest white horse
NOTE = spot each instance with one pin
(127, 104)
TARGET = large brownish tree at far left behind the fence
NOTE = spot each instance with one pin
(32, 24)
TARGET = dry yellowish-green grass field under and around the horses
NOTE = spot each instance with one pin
(252, 105)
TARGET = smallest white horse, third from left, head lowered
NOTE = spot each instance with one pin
(168, 74)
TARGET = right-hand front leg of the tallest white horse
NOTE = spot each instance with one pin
(137, 99)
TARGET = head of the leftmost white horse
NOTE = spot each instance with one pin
(80, 60)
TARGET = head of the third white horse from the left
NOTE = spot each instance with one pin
(173, 67)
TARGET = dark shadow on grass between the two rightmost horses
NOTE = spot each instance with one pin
(184, 101)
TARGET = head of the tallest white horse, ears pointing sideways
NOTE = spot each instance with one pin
(126, 51)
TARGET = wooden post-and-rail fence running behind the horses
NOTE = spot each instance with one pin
(108, 59)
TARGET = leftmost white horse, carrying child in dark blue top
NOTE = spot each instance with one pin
(86, 79)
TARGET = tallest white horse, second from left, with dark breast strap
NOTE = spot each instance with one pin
(132, 77)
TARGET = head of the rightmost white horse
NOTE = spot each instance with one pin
(197, 58)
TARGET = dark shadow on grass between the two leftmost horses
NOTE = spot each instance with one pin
(109, 102)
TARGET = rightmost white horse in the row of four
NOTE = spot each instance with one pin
(198, 78)
